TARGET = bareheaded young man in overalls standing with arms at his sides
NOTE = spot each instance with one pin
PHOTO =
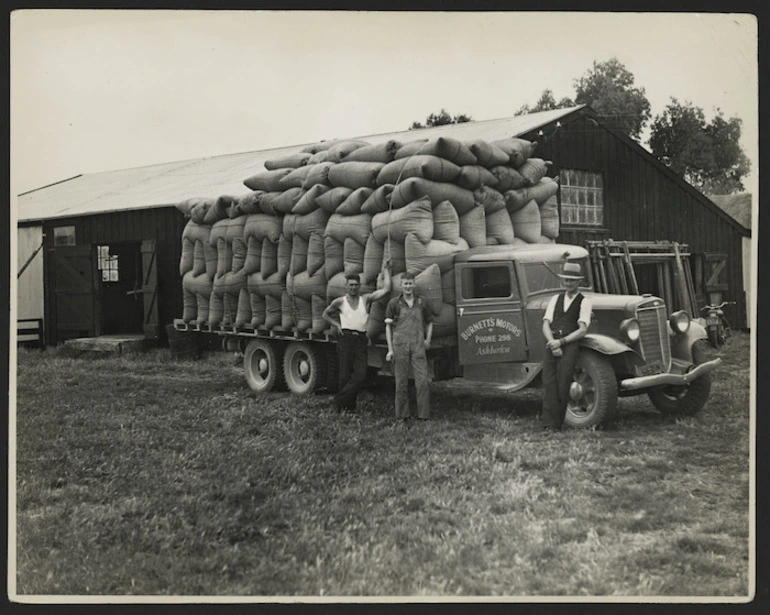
(408, 330)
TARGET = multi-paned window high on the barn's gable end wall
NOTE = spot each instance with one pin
(582, 198)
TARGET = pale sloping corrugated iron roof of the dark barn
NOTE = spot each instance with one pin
(162, 185)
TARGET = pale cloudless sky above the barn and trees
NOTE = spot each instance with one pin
(98, 90)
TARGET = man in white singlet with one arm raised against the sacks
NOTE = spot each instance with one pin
(353, 312)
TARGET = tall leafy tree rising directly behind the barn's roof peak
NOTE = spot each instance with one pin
(608, 88)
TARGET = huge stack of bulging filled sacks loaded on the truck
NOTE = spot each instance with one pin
(282, 251)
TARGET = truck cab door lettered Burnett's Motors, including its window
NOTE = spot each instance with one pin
(490, 319)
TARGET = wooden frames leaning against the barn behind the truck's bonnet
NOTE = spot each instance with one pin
(614, 268)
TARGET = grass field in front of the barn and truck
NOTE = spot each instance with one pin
(145, 475)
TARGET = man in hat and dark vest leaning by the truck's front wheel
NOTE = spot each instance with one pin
(565, 322)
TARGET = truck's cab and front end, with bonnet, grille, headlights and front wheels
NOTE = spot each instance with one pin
(633, 344)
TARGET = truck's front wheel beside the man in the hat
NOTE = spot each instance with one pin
(593, 395)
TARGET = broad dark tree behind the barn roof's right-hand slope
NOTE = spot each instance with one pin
(707, 154)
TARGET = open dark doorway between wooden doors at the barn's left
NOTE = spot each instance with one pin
(120, 287)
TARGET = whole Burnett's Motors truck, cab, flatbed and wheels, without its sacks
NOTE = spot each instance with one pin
(633, 345)
